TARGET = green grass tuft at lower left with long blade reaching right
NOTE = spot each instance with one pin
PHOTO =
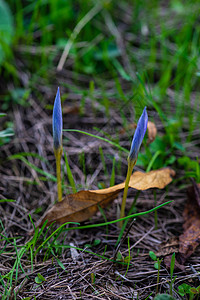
(48, 245)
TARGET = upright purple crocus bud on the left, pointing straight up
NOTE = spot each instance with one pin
(57, 122)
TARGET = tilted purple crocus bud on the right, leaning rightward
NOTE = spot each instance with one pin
(138, 137)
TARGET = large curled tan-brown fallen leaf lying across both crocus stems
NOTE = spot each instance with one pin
(81, 206)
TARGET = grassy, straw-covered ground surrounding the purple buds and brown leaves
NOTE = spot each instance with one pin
(110, 60)
